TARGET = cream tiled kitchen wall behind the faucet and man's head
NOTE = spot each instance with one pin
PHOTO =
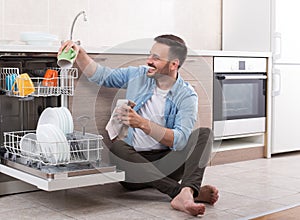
(114, 22)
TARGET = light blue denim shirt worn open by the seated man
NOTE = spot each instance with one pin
(181, 103)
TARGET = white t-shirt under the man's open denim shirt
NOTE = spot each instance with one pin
(153, 110)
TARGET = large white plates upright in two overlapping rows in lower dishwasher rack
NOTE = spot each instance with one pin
(53, 125)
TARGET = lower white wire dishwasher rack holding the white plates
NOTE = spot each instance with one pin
(79, 148)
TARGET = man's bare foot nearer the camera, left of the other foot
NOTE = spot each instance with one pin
(184, 202)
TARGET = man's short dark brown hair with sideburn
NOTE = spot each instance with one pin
(178, 49)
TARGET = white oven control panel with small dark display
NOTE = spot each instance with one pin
(240, 65)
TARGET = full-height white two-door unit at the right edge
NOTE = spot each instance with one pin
(286, 69)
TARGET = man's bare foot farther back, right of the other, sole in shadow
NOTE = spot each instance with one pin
(208, 194)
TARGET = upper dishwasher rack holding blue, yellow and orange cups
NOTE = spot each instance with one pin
(62, 84)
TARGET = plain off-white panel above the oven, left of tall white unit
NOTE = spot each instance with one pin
(246, 25)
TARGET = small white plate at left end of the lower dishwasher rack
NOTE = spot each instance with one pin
(28, 145)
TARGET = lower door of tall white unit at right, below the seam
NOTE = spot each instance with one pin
(286, 109)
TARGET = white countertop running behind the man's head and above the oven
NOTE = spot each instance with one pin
(113, 50)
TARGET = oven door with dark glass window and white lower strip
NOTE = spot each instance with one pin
(239, 105)
